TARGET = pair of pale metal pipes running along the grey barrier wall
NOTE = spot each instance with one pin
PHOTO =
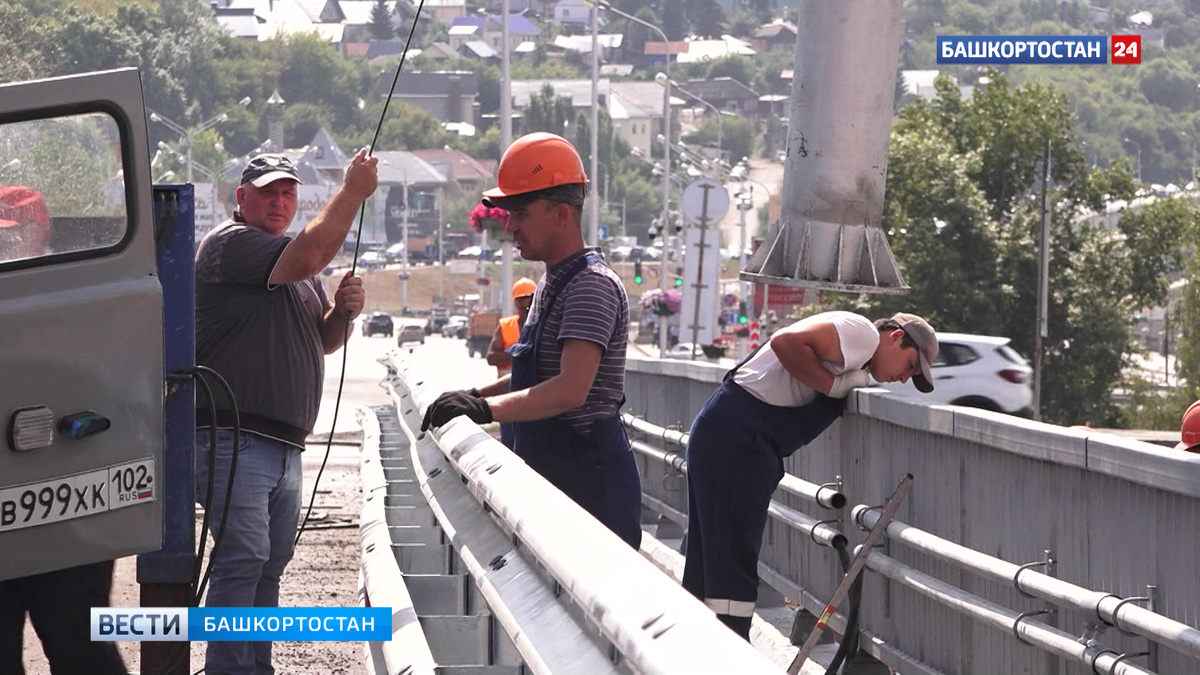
(1107, 608)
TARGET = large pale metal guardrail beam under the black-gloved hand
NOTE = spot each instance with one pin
(617, 605)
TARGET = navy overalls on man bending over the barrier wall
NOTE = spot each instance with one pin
(735, 461)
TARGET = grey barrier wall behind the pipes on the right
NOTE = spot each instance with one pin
(1117, 515)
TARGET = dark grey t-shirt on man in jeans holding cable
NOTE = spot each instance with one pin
(263, 339)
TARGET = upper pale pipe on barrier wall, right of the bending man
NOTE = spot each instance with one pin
(1105, 607)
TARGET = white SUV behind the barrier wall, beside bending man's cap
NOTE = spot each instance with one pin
(979, 372)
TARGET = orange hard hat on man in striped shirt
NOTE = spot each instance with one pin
(535, 163)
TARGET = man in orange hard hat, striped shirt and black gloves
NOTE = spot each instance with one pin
(568, 378)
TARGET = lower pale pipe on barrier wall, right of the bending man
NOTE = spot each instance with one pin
(1022, 628)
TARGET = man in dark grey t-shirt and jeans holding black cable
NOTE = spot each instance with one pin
(263, 322)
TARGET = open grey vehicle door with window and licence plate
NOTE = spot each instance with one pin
(81, 326)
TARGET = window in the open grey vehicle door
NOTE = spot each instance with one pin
(62, 188)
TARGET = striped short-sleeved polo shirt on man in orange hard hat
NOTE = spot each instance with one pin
(593, 307)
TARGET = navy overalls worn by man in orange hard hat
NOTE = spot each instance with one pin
(593, 467)
